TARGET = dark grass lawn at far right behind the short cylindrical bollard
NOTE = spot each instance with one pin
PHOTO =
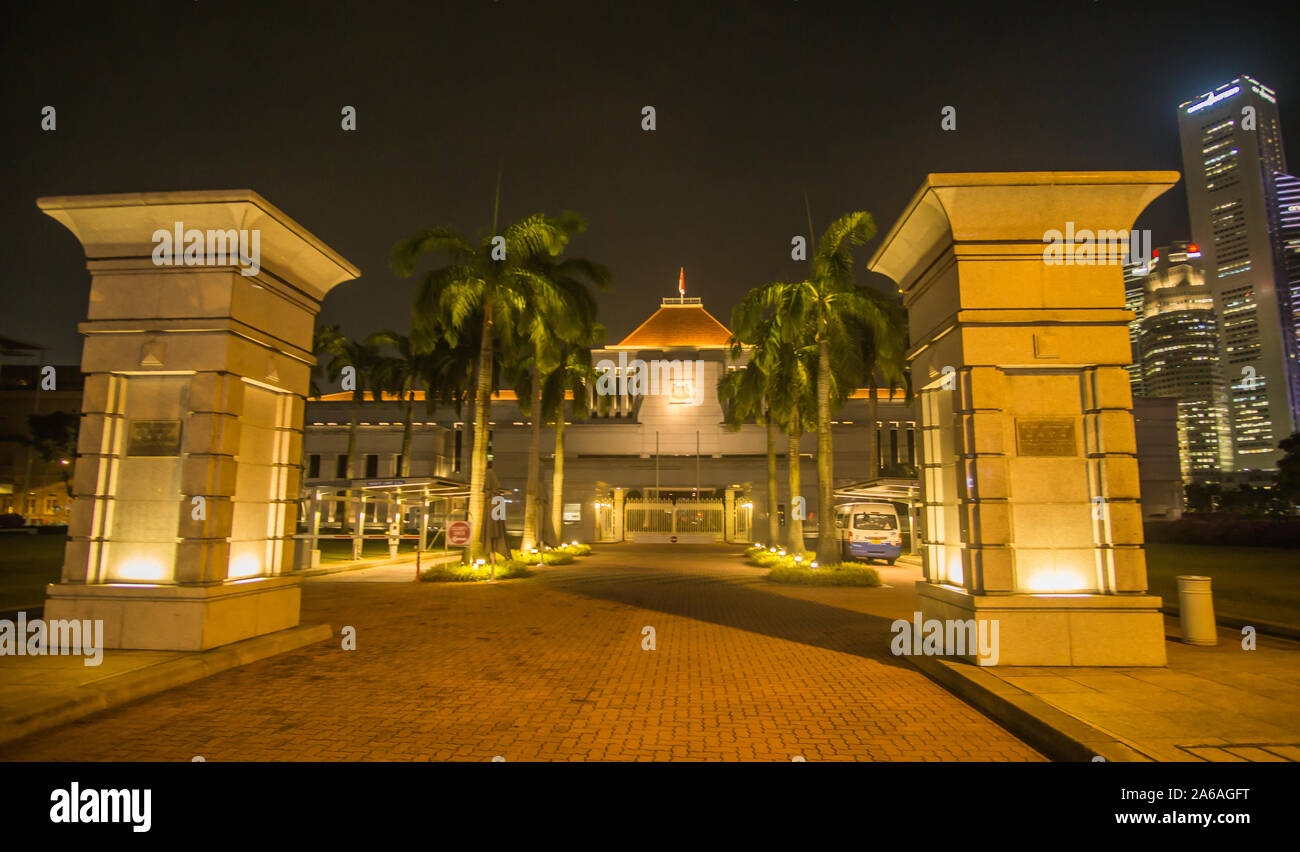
(1249, 583)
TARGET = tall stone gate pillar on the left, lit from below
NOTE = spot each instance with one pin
(198, 356)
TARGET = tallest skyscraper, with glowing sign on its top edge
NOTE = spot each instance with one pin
(1236, 168)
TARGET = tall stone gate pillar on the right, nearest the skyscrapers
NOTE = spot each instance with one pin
(1029, 461)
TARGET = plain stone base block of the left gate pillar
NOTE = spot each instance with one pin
(181, 617)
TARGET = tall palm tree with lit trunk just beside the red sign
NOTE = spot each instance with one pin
(496, 286)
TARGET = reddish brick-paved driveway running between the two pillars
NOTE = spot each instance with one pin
(553, 668)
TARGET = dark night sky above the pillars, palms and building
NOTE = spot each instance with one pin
(757, 103)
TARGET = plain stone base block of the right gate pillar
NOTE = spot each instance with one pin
(1058, 630)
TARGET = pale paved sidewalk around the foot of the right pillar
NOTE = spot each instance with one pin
(1220, 703)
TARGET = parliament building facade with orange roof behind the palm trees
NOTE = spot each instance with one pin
(658, 464)
